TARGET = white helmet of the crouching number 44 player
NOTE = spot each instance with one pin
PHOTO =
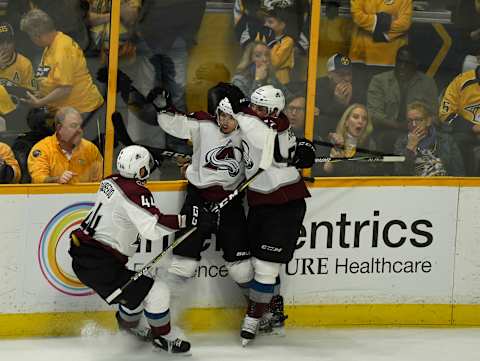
(132, 160)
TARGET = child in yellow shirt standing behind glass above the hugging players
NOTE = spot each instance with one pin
(281, 44)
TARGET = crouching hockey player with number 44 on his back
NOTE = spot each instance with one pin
(100, 248)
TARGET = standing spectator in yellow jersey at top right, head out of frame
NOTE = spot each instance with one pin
(380, 29)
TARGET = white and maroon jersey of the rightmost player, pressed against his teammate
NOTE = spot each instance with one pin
(279, 183)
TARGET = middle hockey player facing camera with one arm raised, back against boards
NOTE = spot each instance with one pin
(216, 170)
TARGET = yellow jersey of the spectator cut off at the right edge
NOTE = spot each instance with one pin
(462, 97)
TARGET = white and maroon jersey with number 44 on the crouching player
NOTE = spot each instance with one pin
(123, 209)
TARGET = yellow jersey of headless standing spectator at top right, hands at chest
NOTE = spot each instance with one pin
(363, 48)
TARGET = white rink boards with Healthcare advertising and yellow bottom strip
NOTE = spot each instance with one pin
(389, 251)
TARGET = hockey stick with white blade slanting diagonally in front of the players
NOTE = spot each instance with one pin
(265, 161)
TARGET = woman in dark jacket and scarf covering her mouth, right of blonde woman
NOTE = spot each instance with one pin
(427, 151)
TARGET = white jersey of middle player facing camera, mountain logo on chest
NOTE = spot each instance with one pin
(217, 166)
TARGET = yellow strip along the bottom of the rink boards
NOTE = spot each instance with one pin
(212, 319)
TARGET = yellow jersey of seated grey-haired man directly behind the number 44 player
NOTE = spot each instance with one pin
(47, 159)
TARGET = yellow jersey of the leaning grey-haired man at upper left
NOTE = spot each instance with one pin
(63, 63)
